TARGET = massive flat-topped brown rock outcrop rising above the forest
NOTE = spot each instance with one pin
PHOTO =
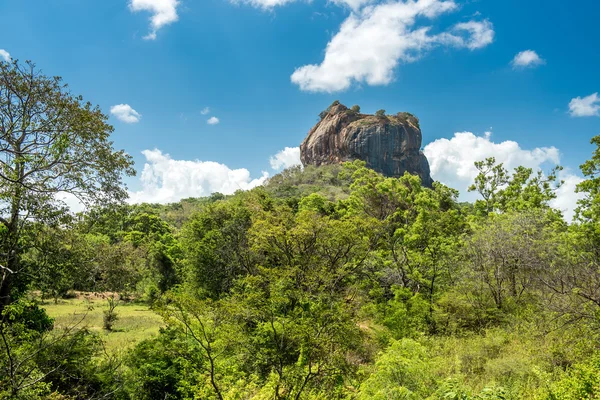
(388, 144)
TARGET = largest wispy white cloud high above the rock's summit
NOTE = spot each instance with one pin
(370, 44)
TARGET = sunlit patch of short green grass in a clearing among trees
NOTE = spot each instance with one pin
(136, 321)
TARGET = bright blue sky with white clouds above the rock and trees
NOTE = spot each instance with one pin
(265, 70)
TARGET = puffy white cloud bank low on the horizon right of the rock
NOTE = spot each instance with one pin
(452, 163)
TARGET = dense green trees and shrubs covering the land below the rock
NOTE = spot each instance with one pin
(330, 282)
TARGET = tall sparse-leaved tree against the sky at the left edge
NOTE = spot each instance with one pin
(51, 142)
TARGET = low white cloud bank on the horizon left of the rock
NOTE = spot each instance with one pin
(165, 180)
